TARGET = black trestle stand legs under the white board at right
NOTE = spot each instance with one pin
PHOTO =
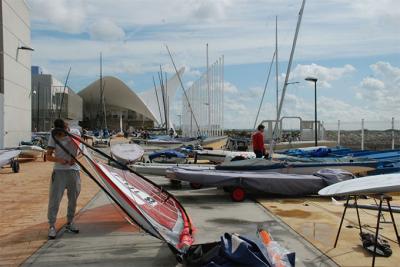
(381, 197)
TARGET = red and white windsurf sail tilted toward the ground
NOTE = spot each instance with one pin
(153, 209)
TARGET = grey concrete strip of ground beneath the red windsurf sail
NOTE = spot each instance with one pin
(108, 239)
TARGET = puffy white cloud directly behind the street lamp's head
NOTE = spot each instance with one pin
(324, 74)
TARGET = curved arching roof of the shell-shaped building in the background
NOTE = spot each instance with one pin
(116, 93)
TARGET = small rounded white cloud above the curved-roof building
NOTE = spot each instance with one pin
(106, 30)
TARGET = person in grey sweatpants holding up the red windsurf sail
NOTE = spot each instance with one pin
(65, 176)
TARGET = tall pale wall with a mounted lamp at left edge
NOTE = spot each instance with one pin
(15, 73)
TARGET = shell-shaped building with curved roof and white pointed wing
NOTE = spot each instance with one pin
(124, 108)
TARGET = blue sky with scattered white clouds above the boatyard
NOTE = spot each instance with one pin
(352, 47)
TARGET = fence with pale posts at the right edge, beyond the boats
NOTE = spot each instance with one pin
(364, 134)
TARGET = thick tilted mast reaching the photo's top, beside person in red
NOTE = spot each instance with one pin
(287, 74)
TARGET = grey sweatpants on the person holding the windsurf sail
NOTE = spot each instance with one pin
(61, 180)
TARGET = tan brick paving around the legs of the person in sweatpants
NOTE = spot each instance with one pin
(23, 209)
